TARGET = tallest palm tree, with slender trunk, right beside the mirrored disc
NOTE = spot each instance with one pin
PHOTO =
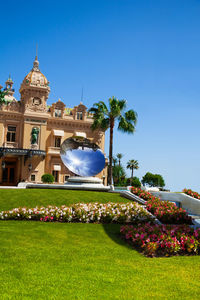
(105, 118)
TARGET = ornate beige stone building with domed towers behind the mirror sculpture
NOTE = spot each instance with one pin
(31, 132)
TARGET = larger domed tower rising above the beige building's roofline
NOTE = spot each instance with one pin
(34, 90)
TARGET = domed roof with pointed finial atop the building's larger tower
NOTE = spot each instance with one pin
(35, 77)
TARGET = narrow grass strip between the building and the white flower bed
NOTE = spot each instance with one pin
(31, 198)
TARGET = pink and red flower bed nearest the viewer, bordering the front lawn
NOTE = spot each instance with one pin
(162, 240)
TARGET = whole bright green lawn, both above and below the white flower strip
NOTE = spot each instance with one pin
(82, 261)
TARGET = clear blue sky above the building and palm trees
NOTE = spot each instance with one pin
(147, 52)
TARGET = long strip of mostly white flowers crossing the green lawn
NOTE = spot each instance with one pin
(82, 212)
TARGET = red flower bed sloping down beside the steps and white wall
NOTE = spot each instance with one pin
(167, 212)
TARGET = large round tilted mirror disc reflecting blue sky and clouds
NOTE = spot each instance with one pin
(82, 157)
